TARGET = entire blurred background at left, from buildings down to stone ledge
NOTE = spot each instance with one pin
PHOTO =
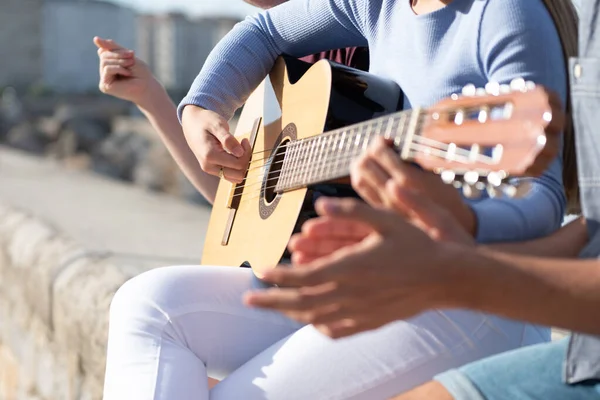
(89, 197)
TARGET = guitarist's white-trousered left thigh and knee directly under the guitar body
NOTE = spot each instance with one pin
(202, 307)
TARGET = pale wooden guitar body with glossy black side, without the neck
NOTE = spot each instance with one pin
(250, 223)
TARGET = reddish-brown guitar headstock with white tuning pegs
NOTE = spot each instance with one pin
(481, 138)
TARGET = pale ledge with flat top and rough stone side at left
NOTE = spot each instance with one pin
(68, 241)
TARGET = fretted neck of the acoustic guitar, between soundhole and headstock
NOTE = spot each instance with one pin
(329, 156)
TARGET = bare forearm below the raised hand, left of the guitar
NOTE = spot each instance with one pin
(162, 114)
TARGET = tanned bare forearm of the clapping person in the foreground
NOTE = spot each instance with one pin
(563, 293)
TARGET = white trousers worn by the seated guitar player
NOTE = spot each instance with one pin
(171, 328)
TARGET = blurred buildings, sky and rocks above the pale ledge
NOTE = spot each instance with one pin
(50, 104)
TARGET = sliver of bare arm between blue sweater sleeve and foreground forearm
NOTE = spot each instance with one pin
(567, 242)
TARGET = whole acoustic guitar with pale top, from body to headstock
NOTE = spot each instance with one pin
(475, 141)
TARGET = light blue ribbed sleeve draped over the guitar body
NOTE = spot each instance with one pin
(244, 57)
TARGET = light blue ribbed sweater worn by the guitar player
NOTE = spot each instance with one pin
(430, 56)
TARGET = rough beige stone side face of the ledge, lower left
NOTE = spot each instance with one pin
(54, 301)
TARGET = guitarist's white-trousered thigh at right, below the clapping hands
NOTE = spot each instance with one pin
(372, 365)
